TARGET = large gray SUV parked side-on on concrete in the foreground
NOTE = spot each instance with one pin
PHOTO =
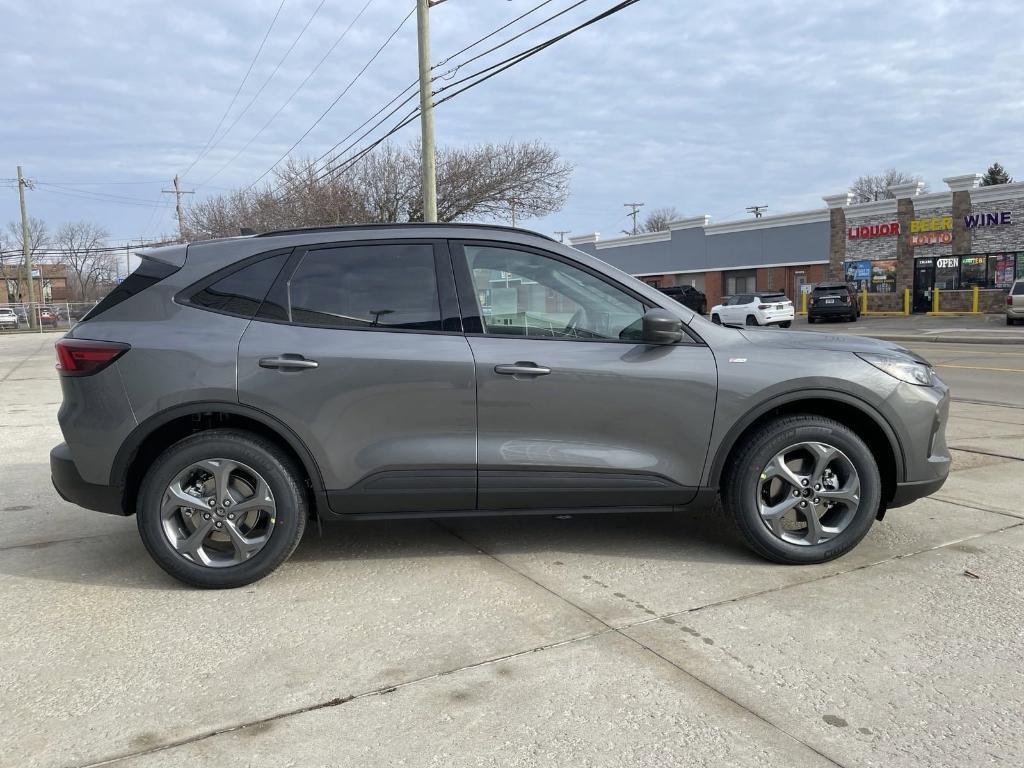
(230, 391)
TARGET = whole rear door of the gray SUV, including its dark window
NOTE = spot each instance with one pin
(358, 349)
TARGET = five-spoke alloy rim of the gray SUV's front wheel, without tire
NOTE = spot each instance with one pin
(808, 494)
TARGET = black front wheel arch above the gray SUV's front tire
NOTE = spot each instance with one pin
(865, 420)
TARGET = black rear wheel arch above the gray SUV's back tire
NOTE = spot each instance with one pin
(163, 430)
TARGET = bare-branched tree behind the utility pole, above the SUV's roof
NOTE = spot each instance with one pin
(483, 182)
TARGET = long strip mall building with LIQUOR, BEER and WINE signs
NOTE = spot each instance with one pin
(954, 241)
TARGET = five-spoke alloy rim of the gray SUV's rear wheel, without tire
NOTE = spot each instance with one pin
(219, 514)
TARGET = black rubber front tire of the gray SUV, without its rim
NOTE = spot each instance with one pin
(741, 488)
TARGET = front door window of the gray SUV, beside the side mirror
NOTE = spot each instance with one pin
(526, 294)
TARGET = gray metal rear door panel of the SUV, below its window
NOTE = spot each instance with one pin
(391, 417)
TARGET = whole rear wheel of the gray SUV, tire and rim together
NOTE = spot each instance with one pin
(222, 509)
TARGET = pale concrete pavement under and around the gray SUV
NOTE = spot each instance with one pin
(610, 641)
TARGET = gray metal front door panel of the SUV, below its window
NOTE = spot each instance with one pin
(612, 425)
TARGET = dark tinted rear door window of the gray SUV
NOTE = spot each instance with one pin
(367, 286)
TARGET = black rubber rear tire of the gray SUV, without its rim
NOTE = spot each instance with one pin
(263, 456)
